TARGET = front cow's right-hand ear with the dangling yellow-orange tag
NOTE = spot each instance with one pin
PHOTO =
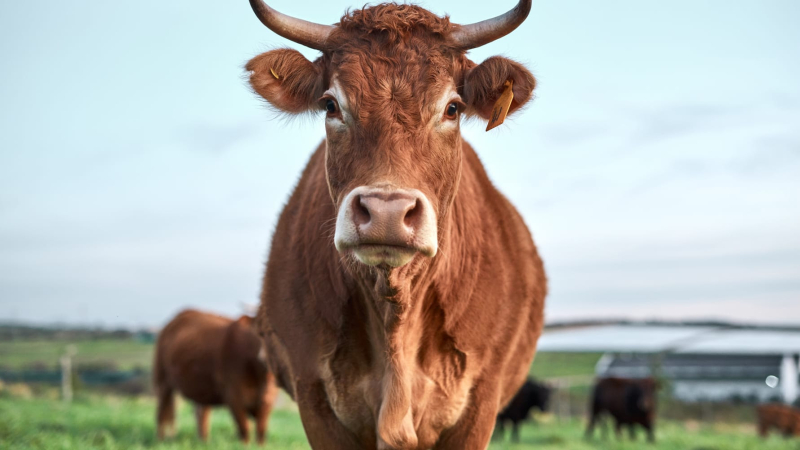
(485, 83)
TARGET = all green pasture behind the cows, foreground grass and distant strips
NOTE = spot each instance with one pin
(38, 420)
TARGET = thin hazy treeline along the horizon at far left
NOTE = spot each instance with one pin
(18, 332)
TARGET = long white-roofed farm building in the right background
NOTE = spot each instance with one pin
(700, 363)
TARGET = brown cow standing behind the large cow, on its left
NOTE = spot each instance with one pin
(212, 361)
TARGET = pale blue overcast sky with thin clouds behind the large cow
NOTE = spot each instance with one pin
(658, 167)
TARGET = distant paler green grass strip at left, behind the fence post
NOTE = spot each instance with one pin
(126, 353)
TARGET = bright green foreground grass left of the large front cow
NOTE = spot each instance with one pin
(121, 423)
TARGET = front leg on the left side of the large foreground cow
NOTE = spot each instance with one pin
(322, 427)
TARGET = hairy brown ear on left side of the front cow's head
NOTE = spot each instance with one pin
(287, 80)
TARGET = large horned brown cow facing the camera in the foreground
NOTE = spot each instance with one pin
(403, 296)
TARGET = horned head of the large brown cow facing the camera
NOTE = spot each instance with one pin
(393, 82)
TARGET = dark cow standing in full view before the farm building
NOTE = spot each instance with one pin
(630, 402)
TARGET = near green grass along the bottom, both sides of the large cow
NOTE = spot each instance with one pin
(94, 423)
